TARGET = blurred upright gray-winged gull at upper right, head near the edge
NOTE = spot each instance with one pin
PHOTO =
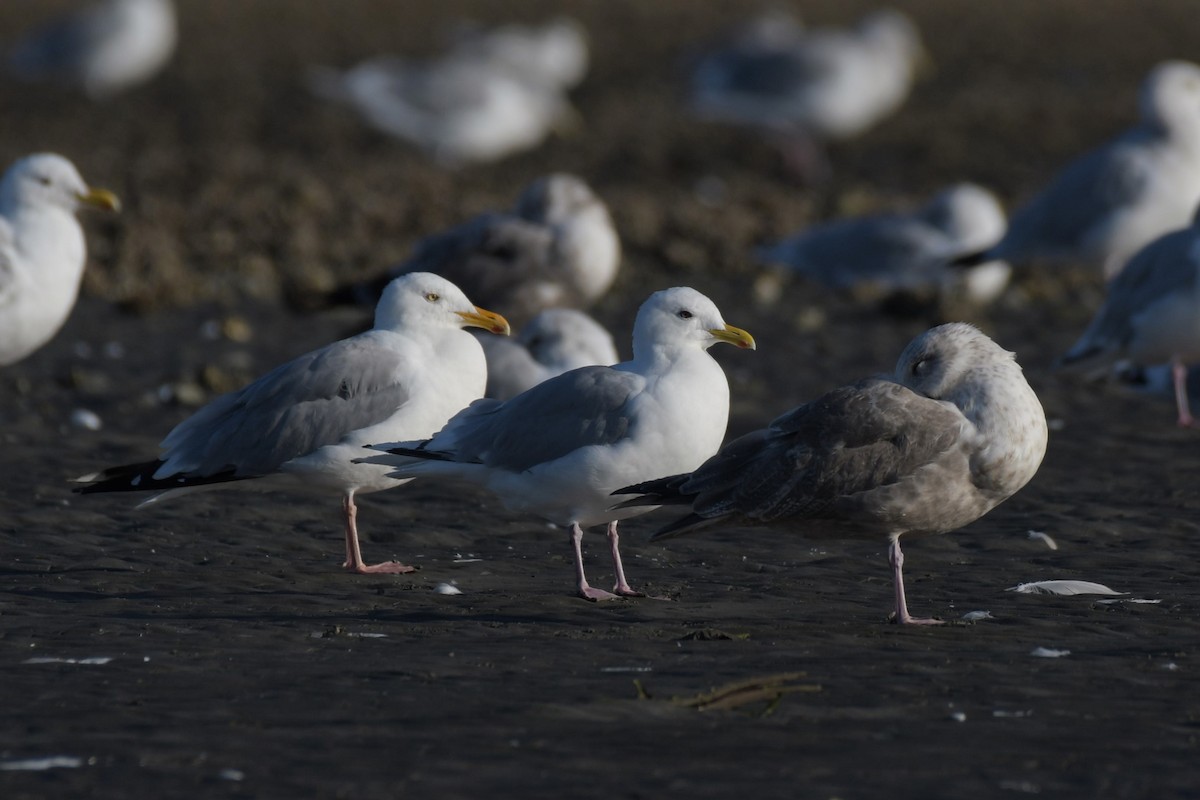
(1109, 203)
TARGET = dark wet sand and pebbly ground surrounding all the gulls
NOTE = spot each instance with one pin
(245, 664)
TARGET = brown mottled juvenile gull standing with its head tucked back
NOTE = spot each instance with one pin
(953, 434)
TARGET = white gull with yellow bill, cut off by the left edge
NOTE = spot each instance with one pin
(43, 250)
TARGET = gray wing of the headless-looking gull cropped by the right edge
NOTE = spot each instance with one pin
(1168, 266)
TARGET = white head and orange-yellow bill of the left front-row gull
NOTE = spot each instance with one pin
(423, 300)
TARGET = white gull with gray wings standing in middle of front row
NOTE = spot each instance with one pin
(561, 449)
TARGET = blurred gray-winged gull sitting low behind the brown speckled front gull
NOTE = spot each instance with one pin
(905, 251)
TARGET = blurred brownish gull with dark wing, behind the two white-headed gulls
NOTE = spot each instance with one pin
(557, 248)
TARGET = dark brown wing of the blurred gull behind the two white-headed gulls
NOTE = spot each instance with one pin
(495, 260)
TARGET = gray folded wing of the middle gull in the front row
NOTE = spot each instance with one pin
(577, 410)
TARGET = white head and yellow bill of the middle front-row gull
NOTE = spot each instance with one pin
(679, 318)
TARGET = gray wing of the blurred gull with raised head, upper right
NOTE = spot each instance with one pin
(1064, 215)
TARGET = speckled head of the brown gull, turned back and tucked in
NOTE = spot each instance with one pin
(939, 362)
